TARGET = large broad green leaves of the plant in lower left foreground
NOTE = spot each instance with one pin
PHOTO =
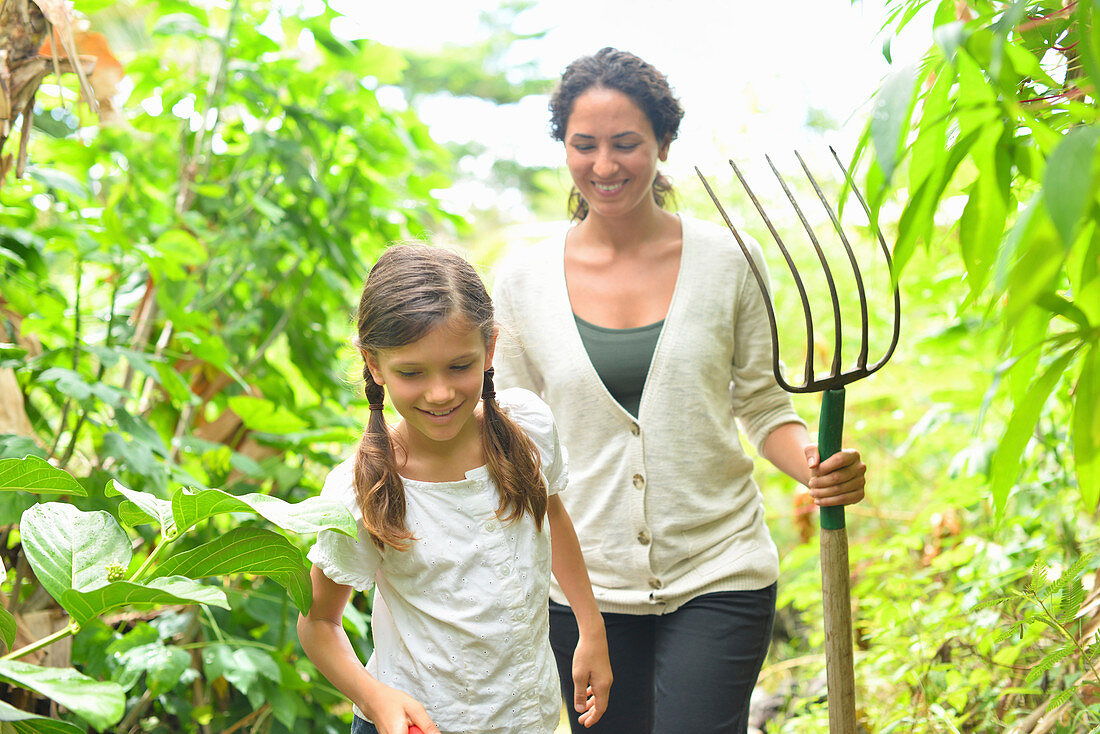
(83, 560)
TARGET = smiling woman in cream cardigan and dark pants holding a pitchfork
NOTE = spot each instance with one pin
(646, 334)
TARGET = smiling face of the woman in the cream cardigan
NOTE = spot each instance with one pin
(612, 152)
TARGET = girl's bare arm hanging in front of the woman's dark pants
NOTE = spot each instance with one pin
(592, 669)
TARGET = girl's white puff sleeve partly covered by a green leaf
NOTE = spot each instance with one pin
(348, 562)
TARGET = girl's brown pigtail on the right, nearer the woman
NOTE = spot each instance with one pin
(513, 462)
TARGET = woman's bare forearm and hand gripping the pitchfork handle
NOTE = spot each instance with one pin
(839, 480)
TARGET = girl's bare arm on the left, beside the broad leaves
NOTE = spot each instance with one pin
(326, 643)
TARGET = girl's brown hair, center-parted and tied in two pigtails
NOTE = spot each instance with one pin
(412, 290)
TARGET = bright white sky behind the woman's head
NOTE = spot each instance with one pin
(747, 72)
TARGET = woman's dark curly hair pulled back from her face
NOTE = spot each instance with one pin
(610, 69)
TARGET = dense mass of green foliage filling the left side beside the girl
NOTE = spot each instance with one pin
(178, 287)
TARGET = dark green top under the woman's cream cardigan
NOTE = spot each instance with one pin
(622, 358)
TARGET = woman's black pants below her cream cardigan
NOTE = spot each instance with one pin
(692, 671)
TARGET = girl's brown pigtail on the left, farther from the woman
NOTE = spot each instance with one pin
(379, 487)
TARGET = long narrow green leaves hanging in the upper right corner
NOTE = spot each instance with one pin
(1006, 120)
